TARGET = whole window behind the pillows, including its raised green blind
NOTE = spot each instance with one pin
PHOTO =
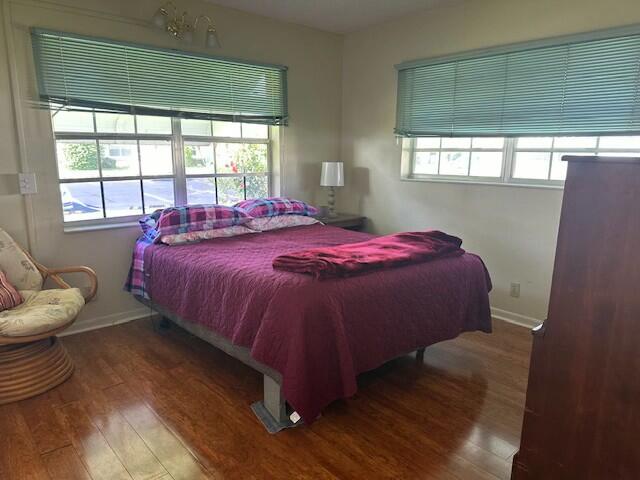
(139, 128)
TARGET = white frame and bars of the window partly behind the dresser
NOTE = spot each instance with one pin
(509, 151)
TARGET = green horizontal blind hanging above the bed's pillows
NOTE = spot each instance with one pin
(103, 75)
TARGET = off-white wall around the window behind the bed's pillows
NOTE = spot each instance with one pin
(314, 61)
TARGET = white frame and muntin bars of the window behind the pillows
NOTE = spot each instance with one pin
(179, 175)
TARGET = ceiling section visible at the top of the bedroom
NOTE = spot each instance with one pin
(339, 16)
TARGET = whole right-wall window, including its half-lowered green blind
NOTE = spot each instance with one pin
(542, 100)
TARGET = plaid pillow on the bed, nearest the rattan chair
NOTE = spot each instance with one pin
(195, 218)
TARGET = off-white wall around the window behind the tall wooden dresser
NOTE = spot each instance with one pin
(513, 229)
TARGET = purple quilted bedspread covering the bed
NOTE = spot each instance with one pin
(319, 334)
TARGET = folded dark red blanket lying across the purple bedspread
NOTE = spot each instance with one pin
(381, 252)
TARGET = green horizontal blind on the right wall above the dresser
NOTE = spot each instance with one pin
(570, 86)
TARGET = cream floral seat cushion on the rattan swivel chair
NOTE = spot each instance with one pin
(41, 312)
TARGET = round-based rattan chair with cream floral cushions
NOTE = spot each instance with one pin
(32, 359)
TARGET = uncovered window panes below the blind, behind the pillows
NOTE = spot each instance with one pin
(119, 166)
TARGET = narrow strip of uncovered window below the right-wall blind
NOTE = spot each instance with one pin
(524, 160)
